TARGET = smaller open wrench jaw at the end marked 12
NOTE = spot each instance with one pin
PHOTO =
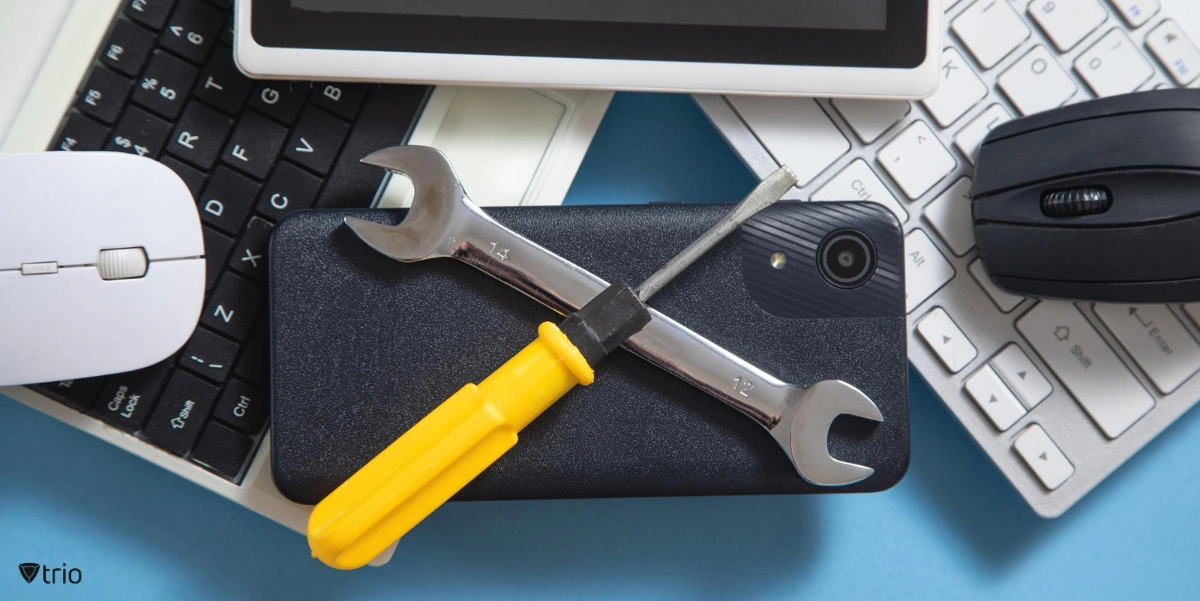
(805, 432)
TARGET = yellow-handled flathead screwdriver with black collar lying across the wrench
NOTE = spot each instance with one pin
(477, 425)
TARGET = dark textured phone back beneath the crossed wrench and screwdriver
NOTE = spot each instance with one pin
(364, 347)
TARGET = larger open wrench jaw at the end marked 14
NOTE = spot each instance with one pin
(439, 207)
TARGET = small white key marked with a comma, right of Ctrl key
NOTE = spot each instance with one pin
(915, 160)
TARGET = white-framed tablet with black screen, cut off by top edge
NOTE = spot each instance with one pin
(859, 49)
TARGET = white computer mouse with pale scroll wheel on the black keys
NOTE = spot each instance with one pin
(101, 266)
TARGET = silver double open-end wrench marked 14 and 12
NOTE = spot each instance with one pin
(445, 224)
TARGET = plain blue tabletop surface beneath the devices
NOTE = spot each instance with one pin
(952, 530)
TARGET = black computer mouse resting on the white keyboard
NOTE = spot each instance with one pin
(1097, 201)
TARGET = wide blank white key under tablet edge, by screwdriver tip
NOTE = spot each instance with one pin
(796, 130)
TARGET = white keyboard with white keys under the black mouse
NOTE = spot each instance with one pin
(1021, 375)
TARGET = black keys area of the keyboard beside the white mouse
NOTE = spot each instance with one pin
(165, 86)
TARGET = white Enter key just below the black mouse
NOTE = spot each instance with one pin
(1156, 341)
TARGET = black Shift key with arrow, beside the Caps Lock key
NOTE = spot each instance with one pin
(182, 412)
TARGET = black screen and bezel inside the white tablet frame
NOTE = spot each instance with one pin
(815, 33)
